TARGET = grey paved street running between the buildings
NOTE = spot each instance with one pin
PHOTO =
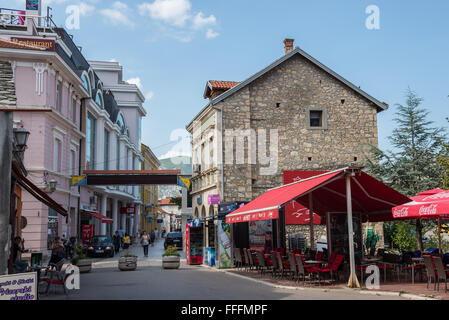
(150, 281)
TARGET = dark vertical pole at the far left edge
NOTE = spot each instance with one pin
(5, 187)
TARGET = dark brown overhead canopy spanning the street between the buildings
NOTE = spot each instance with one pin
(131, 177)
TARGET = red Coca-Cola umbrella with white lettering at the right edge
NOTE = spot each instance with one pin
(431, 204)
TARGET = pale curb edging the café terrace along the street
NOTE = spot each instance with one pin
(378, 293)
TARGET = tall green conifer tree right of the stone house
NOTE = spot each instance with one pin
(413, 165)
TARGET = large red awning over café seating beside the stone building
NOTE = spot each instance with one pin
(370, 197)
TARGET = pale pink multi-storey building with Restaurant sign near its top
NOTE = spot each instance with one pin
(86, 117)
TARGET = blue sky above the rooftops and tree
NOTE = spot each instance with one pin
(172, 47)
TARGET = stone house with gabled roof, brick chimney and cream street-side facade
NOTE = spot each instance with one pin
(295, 114)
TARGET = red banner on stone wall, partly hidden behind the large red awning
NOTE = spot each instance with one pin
(296, 213)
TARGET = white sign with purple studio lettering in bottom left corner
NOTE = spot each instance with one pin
(20, 286)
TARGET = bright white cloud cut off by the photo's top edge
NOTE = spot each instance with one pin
(175, 12)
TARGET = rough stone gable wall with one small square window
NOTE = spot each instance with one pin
(281, 100)
